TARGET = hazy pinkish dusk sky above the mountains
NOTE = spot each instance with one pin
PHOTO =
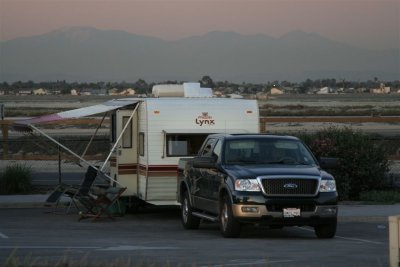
(365, 23)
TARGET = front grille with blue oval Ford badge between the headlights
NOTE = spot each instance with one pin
(290, 186)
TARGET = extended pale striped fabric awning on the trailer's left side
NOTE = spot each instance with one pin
(23, 125)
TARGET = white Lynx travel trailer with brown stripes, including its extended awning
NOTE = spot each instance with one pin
(149, 135)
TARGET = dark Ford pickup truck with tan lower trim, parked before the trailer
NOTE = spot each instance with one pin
(260, 179)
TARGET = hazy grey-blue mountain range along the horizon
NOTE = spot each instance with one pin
(89, 54)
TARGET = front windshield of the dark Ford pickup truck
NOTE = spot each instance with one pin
(267, 151)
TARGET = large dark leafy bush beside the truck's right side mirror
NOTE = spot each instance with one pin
(362, 163)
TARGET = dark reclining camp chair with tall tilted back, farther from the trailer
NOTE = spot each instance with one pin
(72, 191)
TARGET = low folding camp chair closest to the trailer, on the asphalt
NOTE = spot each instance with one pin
(101, 204)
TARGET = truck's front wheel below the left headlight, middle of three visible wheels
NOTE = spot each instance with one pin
(228, 224)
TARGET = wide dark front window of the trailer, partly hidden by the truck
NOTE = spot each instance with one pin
(184, 144)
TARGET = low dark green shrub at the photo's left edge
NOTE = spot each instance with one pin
(16, 179)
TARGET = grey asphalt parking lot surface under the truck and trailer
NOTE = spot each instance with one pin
(155, 237)
